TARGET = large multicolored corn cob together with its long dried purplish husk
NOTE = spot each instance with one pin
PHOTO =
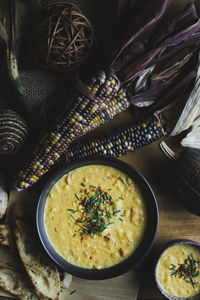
(160, 56)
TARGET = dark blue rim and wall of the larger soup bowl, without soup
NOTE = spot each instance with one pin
(142, 249)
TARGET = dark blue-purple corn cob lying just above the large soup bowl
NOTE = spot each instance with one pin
(121, 141)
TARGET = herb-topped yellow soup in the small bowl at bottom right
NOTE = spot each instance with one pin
(178, 270)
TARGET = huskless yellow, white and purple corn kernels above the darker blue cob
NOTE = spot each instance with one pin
(95, 102)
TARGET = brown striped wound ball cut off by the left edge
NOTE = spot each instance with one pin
(13, 132)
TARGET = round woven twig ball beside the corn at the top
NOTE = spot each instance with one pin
(63, 37)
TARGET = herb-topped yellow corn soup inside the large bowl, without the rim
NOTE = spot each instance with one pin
(95, 216)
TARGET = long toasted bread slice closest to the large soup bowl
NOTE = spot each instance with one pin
(40, 268)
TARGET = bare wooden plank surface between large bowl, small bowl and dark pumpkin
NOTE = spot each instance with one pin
(175, 222)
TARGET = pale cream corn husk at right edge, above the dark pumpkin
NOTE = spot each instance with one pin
(191, 110)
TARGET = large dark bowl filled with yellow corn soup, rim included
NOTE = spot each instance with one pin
(97, 218)
